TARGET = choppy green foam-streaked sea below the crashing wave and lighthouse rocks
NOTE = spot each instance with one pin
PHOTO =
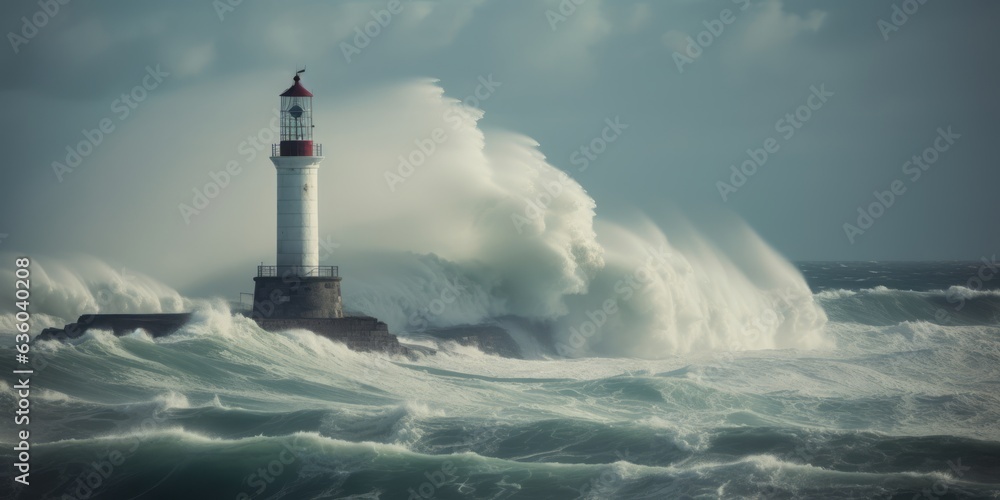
(902, 402)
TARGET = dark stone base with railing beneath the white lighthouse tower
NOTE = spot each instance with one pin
(294, 297)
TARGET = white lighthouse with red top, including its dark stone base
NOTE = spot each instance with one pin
(297, 286)
